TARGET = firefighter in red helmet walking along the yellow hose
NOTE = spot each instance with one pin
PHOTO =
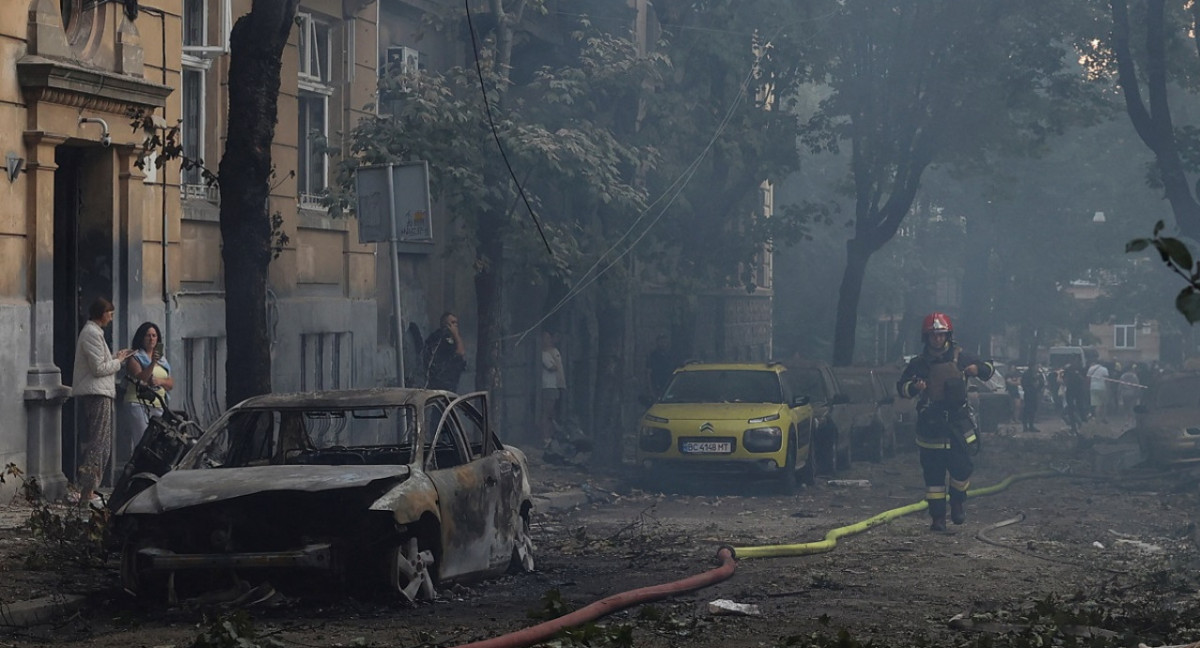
(946, 429)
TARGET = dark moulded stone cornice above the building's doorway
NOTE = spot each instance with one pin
(59, 82)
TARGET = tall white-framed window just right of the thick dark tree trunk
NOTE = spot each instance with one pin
(313, 101)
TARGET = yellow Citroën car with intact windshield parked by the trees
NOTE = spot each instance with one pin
(736, 418)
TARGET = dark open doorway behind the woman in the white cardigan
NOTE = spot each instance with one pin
(83, 266)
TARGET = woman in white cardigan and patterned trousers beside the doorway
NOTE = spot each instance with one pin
(95, 389)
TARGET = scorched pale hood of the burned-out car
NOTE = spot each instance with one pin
(184, 489)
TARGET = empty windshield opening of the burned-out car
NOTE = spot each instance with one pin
(253, 437)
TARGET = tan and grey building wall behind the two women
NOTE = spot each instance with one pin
(82, 220)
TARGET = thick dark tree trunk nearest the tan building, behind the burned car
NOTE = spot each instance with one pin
(256, 51)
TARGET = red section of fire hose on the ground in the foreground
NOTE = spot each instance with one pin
(616, 603)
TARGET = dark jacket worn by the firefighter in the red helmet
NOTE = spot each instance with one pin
(944, 417)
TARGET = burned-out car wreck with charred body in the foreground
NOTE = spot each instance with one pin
(382, 490)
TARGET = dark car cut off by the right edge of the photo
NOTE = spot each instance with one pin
(1168, 421)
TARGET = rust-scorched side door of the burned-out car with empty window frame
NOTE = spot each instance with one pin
(476, 488)
